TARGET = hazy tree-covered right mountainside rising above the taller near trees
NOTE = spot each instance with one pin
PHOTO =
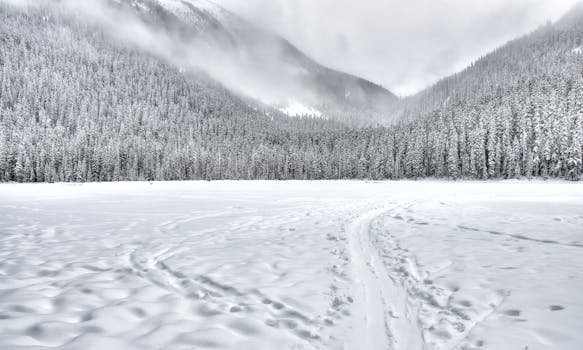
(550, 51)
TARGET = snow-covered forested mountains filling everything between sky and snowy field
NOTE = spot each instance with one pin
(125, 94)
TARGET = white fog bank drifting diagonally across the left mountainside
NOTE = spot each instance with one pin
(190, 53)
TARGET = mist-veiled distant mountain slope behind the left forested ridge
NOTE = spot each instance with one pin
(202, 37)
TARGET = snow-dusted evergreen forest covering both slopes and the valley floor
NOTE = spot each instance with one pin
(76, 106)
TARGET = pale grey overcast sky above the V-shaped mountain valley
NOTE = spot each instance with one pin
(404, 45)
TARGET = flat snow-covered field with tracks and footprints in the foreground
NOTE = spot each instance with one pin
(292, 265)
